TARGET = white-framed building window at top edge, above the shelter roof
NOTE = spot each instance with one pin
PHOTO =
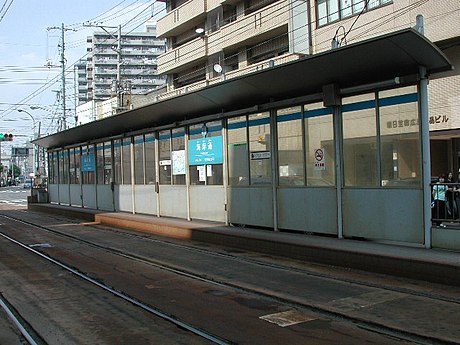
(329, 11)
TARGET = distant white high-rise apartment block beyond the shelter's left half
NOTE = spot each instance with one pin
(133, 61)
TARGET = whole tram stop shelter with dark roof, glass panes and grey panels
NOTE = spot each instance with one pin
(334, 144)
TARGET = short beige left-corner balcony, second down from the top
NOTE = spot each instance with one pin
(192, 51)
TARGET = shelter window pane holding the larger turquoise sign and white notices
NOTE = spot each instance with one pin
(206, 154)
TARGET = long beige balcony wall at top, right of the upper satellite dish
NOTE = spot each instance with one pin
(252, 25)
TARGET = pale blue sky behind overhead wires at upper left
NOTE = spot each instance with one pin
(28, 42)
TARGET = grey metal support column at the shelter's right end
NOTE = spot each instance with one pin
(426, 159)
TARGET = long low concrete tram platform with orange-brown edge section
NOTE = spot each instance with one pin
(433, 265)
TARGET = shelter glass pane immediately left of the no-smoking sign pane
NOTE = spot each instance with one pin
(290, 147)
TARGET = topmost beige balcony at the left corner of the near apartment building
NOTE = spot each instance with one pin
(191, 13)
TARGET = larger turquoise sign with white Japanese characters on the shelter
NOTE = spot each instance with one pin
(205, 151)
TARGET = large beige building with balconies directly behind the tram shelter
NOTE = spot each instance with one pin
(210, 41)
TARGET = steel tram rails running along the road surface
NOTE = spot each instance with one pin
(312, 307)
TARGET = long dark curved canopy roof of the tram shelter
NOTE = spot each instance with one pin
(374, 60)
